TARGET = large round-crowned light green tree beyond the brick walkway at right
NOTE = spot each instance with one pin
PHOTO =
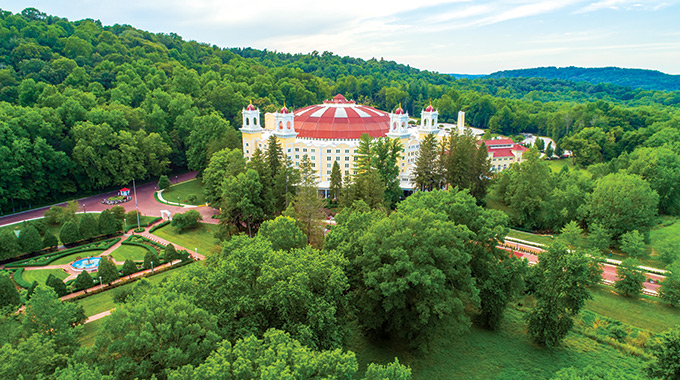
(621, 202)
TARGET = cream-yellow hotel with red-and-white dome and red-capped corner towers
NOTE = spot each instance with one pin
(330, 132)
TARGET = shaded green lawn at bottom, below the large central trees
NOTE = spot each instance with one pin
(506, 354)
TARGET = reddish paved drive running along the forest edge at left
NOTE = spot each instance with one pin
(145, 198)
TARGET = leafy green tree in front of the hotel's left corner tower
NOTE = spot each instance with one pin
(243, 203)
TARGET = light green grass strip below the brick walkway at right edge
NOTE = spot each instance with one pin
(643, 312)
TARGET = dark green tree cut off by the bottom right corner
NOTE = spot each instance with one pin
(666, 363)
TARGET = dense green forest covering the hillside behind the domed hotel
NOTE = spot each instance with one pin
(85, 106)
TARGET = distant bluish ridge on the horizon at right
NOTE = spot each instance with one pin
(636, 78)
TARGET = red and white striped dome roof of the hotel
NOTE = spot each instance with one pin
(340, 118)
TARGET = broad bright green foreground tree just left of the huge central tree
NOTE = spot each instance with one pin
(252, 288)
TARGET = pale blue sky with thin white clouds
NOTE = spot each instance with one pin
(454, 36)
